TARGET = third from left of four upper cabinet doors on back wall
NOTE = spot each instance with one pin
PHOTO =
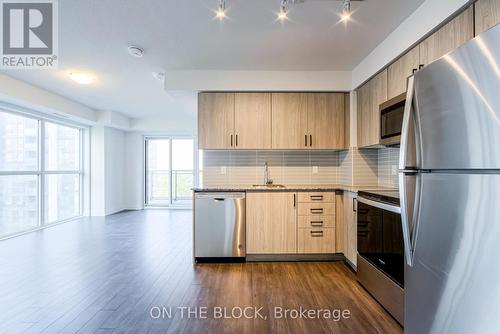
(289, 120)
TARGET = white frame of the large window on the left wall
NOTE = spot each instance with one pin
(41, 171)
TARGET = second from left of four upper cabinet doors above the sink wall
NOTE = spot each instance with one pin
(252, 121)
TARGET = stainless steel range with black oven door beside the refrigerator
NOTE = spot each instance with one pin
(381, 249)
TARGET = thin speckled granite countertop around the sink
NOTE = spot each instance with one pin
(292, 187)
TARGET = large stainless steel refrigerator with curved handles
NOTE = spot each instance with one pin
(450, 191)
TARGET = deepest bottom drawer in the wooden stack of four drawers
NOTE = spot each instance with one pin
(316, 240)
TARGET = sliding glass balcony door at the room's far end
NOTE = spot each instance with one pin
(169, 171)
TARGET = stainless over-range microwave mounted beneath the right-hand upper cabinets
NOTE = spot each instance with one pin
(391, 120)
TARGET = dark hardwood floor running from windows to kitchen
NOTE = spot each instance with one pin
(117, 274)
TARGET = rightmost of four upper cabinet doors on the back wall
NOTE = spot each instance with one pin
(325, 120)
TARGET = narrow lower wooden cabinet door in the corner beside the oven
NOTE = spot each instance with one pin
(350, 227)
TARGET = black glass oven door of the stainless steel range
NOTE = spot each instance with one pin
(380, 237)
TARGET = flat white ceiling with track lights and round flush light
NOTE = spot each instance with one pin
(182, 35)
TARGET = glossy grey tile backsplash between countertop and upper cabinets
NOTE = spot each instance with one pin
(367, 168)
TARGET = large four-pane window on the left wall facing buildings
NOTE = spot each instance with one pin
(40, 173)
